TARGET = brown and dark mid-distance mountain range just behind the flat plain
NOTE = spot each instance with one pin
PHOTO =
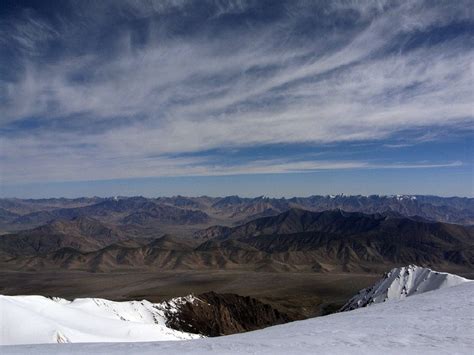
(296, 240)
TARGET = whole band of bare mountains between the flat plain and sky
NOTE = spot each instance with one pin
(271, 235)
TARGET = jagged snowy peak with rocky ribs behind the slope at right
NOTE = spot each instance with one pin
(403, 282)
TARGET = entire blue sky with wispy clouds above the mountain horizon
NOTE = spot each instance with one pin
(276, 98)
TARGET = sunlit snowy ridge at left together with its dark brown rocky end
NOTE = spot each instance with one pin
(209, 314)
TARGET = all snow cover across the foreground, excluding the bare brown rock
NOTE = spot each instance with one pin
(438, 321)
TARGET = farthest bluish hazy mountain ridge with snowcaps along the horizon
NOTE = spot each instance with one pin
(17, 214)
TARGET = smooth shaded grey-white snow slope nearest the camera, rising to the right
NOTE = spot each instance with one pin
(438, 322)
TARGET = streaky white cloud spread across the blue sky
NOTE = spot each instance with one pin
(192, 95)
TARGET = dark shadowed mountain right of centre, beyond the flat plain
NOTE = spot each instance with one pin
(353, 241)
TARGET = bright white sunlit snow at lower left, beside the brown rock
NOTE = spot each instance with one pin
(37, 319)
